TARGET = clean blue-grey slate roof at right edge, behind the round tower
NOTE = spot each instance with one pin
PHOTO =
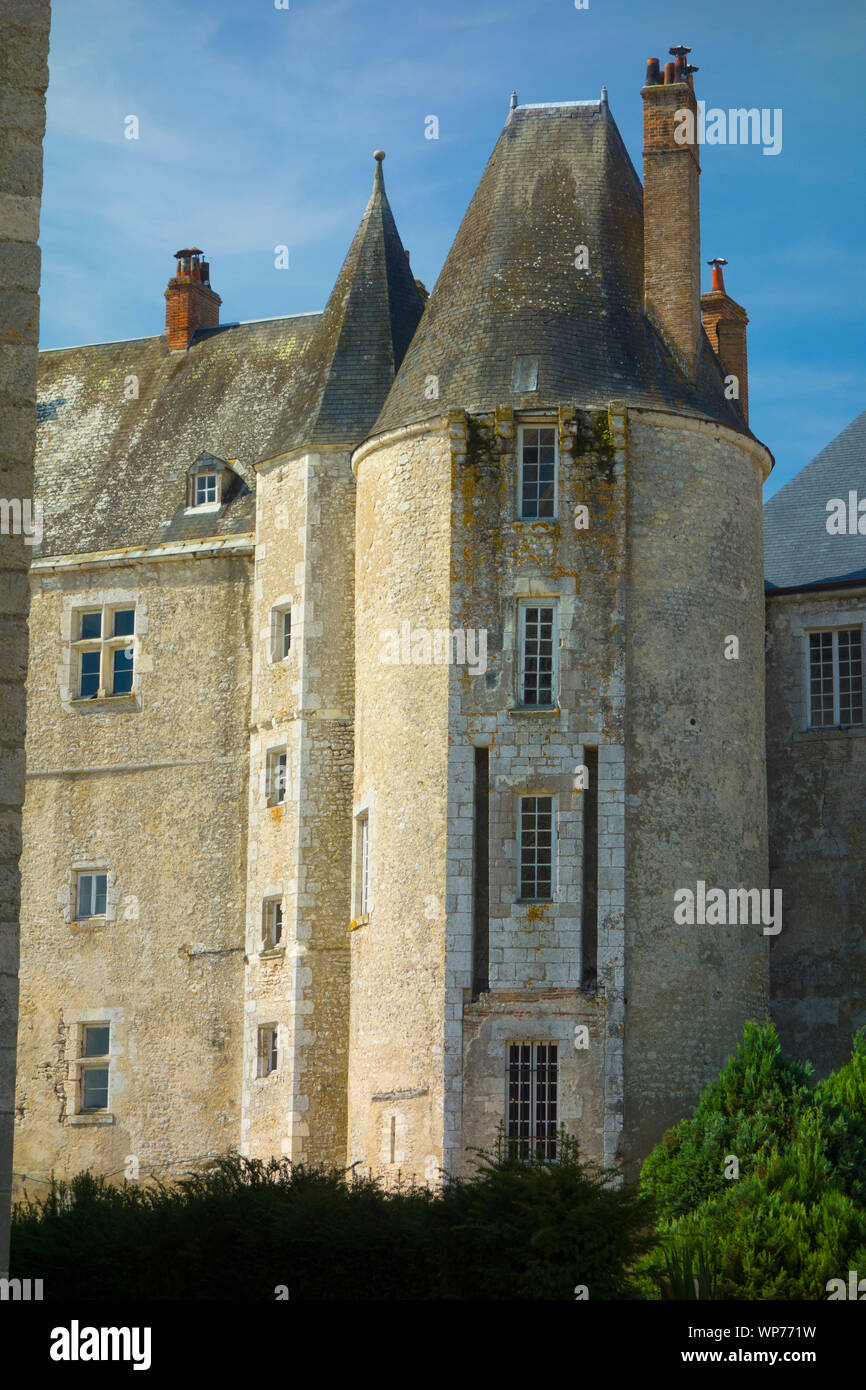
(800, 553)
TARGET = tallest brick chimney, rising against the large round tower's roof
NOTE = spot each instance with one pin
(672, 212)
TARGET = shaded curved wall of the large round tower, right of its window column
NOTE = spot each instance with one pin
(696, 758)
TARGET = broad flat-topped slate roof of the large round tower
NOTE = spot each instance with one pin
(559, 179)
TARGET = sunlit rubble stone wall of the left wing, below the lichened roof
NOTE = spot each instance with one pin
(151, 789)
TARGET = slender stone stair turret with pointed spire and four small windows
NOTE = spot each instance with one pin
(302, 705)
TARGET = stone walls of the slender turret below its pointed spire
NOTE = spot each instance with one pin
(301, 851)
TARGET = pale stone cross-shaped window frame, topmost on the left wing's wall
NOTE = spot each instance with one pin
(108, 601)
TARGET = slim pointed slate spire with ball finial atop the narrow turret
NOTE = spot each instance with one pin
(361, 340)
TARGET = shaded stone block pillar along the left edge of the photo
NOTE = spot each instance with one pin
(24, 76)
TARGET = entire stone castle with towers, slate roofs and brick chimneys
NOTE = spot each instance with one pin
(395, 668)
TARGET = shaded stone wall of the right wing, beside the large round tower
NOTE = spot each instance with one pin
(818, 842)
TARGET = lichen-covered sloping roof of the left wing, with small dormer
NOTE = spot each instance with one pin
(111, 472)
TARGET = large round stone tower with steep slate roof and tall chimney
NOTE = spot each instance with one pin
(558, 533)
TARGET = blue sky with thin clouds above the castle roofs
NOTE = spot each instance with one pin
(256, 130)
